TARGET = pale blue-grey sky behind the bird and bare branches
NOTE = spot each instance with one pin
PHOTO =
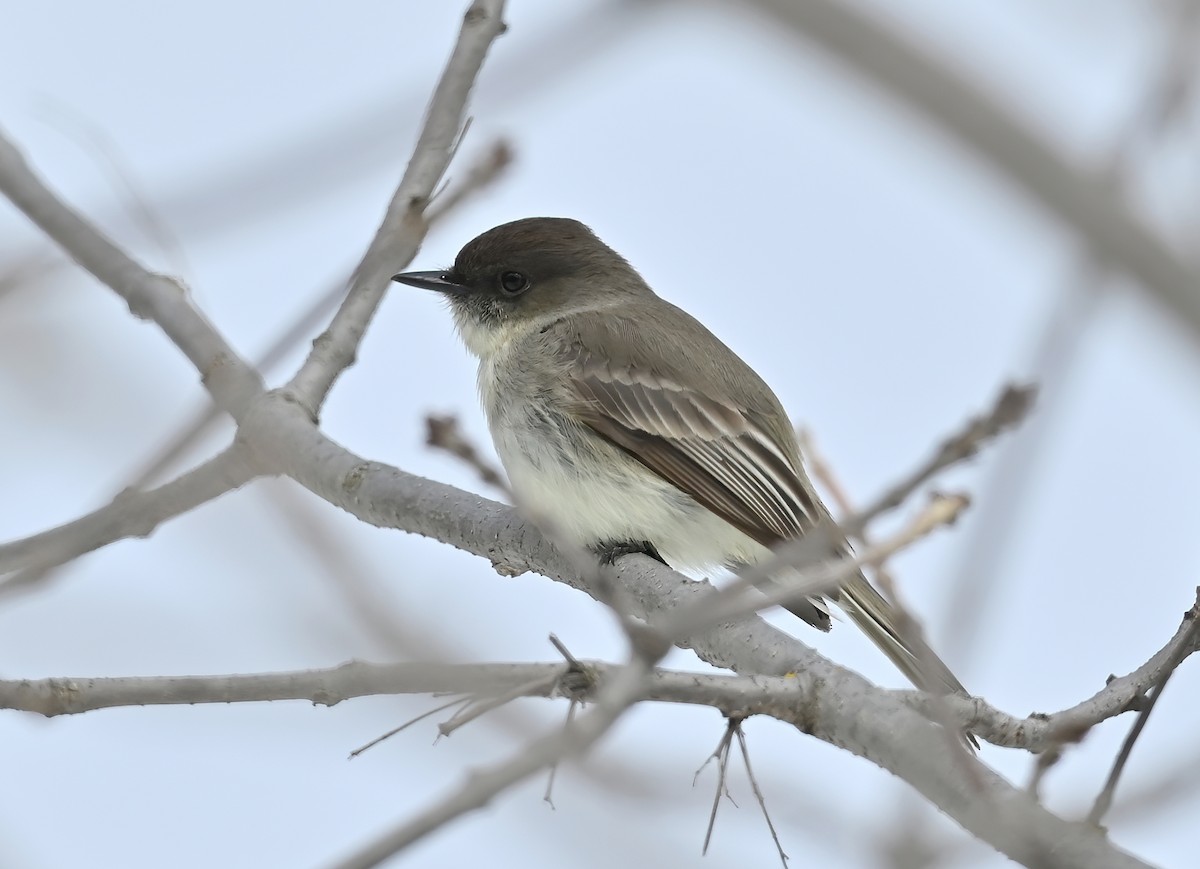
(880, 278)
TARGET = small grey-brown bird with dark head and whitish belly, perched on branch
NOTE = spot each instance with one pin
(632, 427)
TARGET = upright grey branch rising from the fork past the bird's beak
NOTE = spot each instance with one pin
(404, 226)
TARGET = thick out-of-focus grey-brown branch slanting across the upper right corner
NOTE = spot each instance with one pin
(1083, 199)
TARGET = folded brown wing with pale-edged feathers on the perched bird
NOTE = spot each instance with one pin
(710, 448)
